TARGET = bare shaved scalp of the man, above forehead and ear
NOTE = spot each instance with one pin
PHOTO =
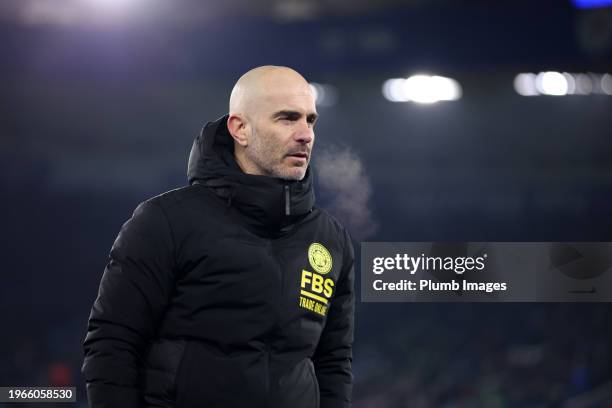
(261, 85)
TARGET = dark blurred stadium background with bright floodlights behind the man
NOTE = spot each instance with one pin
(101, 100)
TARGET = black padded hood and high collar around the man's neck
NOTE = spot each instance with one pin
(268, 203)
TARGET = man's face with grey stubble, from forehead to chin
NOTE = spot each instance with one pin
(282, 133)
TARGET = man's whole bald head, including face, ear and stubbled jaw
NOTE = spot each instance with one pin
(271, 118)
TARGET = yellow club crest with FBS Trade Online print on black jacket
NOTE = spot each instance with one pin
(316, 290)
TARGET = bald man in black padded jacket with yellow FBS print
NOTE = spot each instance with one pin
(235, 291)
